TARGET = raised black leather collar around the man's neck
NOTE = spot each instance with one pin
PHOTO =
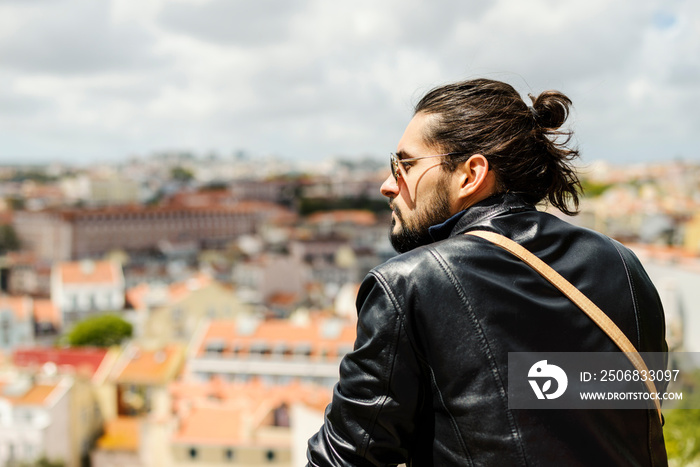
(485, 209)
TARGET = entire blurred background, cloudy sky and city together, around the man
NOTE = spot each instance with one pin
(189, 199)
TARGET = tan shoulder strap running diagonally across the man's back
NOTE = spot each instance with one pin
(575, 295)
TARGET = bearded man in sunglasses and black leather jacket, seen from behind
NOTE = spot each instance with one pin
(426, 383)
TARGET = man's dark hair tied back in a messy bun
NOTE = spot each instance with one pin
(524, 145)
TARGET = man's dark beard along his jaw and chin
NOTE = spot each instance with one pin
(412, 232)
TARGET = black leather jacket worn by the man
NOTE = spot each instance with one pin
(427, 381)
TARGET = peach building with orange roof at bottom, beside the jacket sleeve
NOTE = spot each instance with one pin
(220, 423)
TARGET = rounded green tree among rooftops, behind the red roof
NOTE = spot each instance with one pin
(100, 331)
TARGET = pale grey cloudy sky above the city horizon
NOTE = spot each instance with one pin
(84, 80)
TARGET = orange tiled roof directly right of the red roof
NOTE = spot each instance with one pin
(148, 366)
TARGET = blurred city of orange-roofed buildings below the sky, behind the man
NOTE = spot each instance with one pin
(183, 309)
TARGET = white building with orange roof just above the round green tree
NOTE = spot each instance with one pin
(82, 288)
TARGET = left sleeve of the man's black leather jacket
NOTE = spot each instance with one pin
(371, 420)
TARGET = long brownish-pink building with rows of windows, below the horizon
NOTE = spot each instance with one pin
(69, 234)
